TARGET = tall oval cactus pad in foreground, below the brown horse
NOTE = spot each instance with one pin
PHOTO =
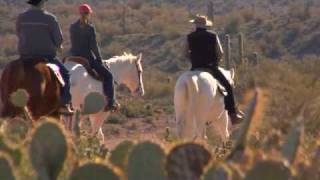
(48, 150)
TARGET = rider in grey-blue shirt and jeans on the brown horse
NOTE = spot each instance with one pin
(39, 35)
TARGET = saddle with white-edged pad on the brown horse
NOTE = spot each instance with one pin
(33, 61)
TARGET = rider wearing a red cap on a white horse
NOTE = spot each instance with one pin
(84, 44)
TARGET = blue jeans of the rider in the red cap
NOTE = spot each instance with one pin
(108, 82)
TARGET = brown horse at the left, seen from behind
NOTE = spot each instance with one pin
(38, 80)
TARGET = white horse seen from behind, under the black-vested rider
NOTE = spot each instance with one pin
(199, 106)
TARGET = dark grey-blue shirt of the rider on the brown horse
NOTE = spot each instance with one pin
(38, 32)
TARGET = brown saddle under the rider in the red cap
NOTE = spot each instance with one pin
(85, 63)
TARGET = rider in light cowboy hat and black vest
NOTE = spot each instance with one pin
(205, 51)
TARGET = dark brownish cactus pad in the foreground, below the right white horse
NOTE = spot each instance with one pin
(187, 161)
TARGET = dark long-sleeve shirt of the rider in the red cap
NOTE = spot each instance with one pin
(84, 42)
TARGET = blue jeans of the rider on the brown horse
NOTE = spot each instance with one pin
(65, 91)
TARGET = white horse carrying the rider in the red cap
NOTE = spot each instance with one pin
(126, 69)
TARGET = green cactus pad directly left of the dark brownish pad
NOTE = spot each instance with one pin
(146, 161)
